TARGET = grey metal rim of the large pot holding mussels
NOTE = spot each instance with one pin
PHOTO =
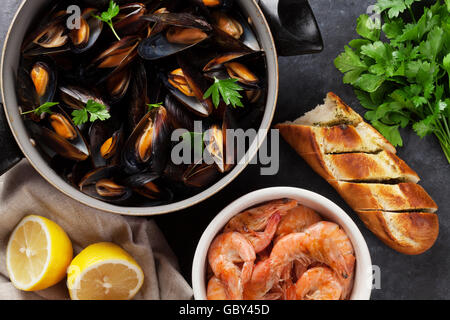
(43, 168)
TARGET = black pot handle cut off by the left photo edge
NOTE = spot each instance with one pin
(10, 153)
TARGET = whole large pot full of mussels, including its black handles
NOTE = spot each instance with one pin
(125, 106)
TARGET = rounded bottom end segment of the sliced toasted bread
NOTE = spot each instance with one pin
(407, 232)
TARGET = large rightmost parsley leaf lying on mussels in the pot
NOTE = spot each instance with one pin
(228, 89)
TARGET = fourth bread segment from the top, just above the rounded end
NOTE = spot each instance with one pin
(385, 197)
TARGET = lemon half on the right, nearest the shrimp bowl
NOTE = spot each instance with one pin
(104, 271)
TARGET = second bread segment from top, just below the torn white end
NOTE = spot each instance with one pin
(337, 139)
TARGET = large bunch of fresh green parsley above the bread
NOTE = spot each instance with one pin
(403, 80)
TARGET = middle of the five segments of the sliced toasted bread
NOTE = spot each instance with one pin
(361, 167)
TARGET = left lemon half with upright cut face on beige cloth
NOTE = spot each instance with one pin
(38, 254)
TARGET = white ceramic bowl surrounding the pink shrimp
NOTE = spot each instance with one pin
(326, 208)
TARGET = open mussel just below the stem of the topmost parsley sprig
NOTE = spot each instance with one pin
(119, 55)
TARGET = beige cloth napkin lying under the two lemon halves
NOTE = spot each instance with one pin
(23, 191)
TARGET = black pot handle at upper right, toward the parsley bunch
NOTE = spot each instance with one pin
(293, 26)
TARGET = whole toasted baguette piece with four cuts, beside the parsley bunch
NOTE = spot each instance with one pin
(362, 166)
